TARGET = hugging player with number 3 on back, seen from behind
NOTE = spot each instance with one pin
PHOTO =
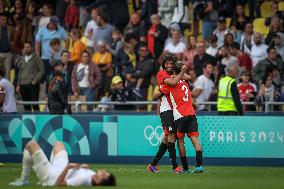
(184, 118)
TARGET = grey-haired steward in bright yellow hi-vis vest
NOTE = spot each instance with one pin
(229, 102)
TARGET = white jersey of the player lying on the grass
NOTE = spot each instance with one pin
(79, 177)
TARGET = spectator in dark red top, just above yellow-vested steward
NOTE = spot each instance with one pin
(244, 60)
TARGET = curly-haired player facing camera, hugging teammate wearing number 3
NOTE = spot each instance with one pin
(166, 114)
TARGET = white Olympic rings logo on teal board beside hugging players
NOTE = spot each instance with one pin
(154, 136)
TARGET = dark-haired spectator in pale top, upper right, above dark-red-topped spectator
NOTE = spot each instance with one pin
(247, 38)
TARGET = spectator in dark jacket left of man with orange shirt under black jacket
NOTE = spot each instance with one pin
(134, 26)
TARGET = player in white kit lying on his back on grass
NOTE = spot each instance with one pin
(58, 171)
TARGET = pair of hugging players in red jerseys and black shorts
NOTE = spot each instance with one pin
(177, 116)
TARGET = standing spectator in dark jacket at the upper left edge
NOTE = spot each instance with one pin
(6, 45)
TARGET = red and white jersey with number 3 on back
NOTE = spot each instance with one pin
(181, 99)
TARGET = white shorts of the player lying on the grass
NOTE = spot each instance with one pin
(48, 172)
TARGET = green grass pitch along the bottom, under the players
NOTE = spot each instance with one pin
(136, 176)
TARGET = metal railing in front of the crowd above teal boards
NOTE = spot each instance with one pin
(78, 104)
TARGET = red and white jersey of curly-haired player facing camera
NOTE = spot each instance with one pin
(165, 102)
